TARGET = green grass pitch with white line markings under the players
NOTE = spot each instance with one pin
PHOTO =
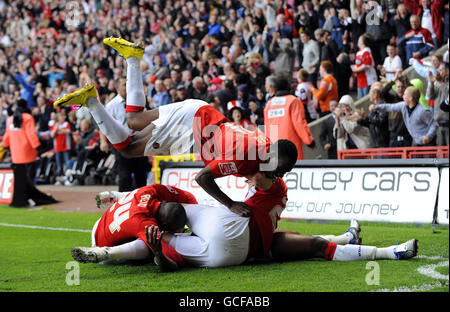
(35, 259)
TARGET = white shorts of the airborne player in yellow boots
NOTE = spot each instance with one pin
(173, 132)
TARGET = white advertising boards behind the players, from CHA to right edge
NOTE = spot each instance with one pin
(380, 190)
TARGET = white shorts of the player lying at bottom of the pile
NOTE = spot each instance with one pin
(220, 237)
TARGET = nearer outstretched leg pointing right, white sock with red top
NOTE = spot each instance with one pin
(291, 246)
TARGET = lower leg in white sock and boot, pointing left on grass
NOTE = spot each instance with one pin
(135, 250)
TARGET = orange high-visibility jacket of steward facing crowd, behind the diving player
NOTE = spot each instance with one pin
(284, 118)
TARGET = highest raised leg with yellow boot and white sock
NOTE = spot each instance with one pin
(137, 118)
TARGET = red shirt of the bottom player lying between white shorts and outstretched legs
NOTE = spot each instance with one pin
(267, 207)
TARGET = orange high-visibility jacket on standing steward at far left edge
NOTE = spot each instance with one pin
(23, 141)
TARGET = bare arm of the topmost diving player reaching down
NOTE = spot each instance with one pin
(205, 179)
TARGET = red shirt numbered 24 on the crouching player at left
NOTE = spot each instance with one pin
(126, 219)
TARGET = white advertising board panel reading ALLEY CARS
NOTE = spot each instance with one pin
(368, 194)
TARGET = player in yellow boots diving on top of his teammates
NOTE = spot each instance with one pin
(173, 129)
